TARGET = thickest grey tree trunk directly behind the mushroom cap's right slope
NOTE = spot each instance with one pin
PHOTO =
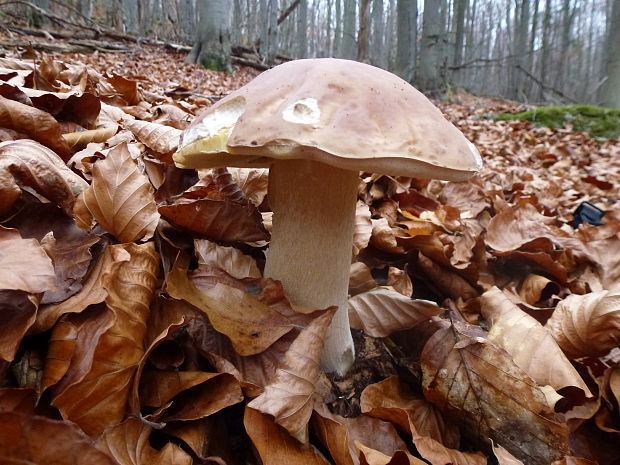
(431, 76)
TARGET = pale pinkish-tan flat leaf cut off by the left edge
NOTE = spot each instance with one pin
(34, 275)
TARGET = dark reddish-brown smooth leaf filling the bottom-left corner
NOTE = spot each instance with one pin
(32, 439)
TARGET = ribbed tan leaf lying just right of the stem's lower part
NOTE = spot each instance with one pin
(380, 312)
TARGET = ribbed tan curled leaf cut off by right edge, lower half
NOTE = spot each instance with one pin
(587, 325)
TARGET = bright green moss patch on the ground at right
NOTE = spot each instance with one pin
(598, 121)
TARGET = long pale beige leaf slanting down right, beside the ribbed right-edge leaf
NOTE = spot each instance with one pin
(531, 345)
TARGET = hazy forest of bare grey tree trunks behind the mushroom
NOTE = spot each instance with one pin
(535, 51)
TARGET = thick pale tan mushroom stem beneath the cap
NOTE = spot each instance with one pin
(311, 243)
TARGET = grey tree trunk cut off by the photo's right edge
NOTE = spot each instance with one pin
(610, 91)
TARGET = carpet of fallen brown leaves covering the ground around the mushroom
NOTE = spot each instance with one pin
(137, 327)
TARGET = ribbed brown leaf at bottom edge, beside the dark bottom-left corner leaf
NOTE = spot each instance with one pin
(128, 443)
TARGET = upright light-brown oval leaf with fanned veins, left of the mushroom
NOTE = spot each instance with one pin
(120, 198)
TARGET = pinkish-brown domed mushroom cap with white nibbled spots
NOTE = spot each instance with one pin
(338, 112)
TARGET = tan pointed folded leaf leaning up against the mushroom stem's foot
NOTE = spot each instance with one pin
(288, 397)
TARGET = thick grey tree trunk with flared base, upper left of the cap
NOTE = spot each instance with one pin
(212, 45)
